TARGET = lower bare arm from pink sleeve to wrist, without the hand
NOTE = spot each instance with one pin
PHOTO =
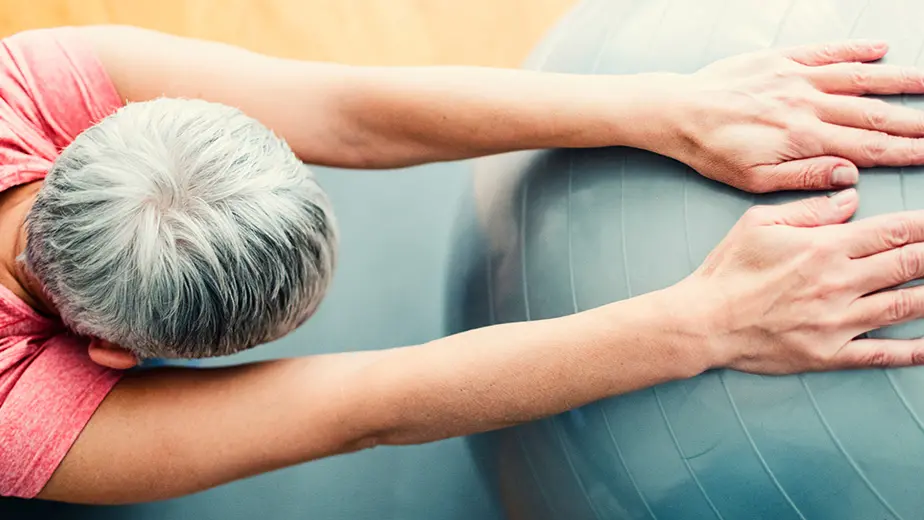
(171, 432)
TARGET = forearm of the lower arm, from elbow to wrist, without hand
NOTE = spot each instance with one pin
(500, 376)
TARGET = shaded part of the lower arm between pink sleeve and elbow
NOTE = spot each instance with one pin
(165, 433)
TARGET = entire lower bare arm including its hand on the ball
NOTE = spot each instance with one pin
(787, 291)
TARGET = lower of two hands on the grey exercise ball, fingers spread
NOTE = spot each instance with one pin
(791, 288)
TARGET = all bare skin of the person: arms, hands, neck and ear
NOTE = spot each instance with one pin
(786, 291)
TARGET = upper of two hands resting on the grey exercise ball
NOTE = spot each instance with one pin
(795, 119)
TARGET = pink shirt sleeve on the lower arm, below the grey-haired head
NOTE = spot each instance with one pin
(53, 392)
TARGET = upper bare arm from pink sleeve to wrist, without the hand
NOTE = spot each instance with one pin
(379, 117)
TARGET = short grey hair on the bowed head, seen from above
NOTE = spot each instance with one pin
(181, 229)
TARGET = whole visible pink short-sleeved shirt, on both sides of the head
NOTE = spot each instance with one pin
(52, 87)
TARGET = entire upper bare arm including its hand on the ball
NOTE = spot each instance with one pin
(780, 119)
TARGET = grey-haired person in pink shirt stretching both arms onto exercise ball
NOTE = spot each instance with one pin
(154, 203)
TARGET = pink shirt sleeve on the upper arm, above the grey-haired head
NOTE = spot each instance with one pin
(56, 84)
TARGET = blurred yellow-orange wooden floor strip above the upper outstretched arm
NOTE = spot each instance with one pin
(380, 32)
